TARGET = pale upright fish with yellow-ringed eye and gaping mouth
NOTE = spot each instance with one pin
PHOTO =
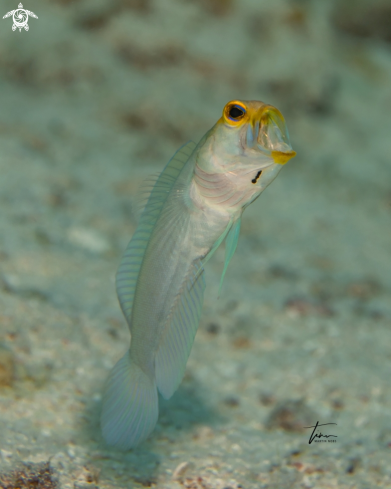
(195, 204)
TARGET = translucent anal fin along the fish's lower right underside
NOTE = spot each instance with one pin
(174, 349)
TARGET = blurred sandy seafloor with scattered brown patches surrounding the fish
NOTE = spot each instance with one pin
(99, 94)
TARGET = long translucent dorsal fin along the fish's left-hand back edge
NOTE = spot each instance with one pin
(130, 265)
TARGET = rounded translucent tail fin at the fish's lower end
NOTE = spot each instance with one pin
(130, 405)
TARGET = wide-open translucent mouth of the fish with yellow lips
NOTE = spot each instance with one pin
(269, 134)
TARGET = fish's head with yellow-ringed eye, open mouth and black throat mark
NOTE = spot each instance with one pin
(249, 144)
